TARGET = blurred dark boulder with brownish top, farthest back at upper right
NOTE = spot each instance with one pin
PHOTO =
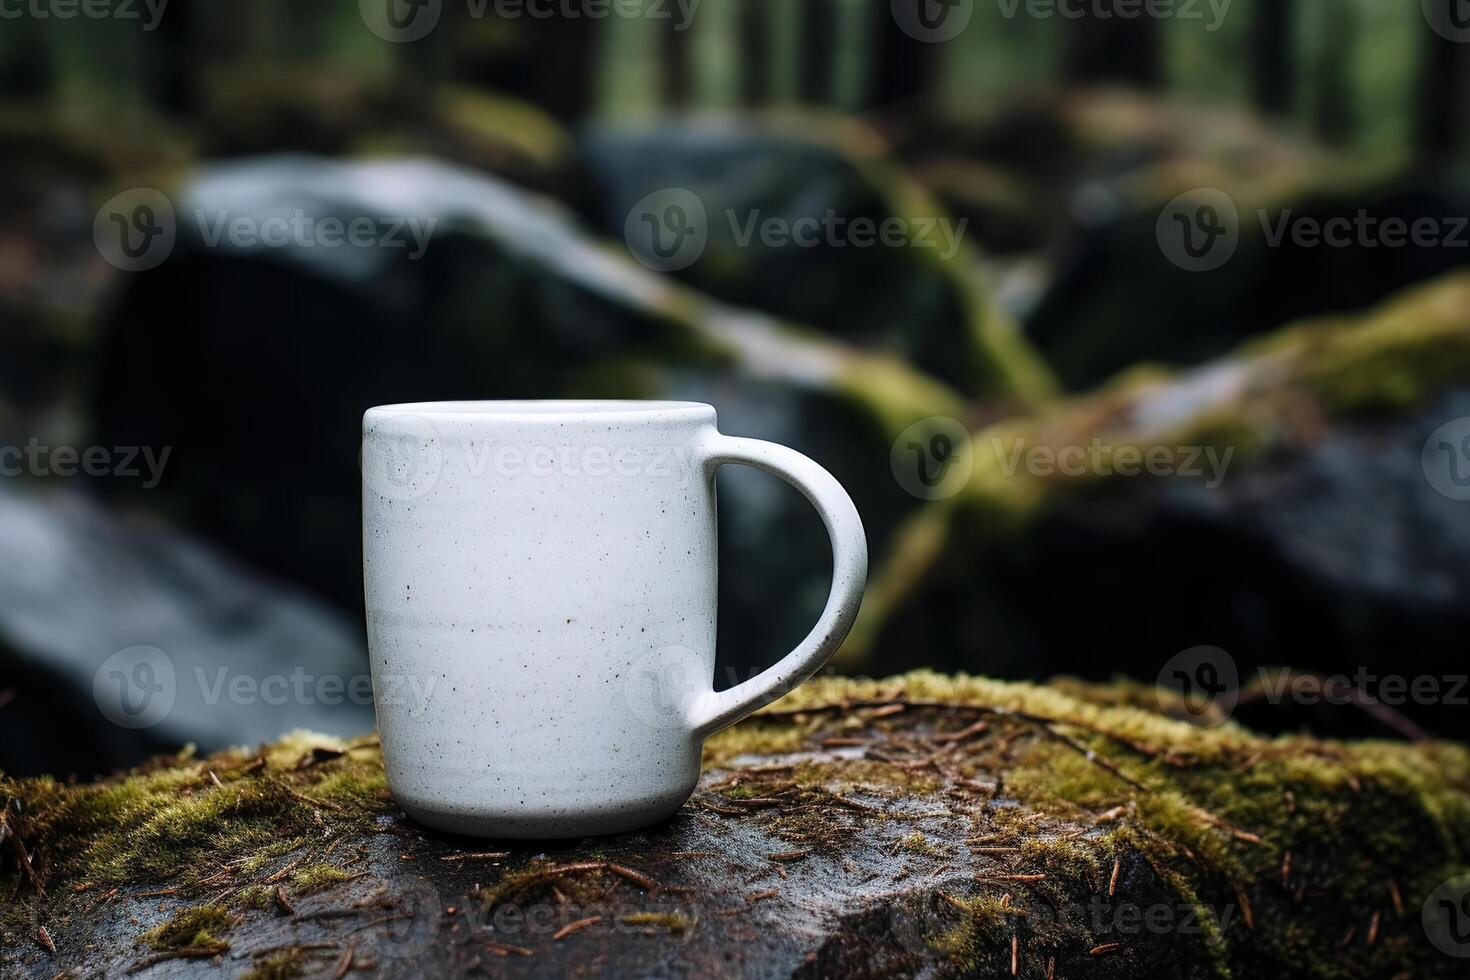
(1087, 184)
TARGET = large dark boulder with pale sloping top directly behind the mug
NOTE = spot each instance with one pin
(255, 364)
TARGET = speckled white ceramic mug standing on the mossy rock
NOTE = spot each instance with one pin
(542, 591)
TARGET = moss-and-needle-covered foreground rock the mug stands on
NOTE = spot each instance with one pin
(917, 826)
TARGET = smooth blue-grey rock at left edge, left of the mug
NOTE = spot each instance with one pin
(118, 641)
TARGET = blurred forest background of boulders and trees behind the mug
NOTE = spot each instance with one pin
(1140, 333)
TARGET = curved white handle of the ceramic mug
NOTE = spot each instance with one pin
(715, 710)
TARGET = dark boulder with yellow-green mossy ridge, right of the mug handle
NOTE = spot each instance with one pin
(1286, 505)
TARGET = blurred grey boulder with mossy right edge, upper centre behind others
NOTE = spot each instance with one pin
(783, 203)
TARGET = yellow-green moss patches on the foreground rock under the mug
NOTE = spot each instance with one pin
(1161, 815)
